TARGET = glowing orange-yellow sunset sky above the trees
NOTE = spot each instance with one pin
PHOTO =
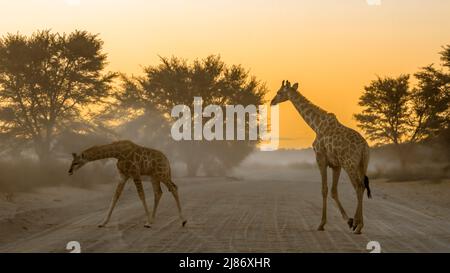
(331, 47)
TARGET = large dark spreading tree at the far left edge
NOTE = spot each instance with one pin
(47, 80)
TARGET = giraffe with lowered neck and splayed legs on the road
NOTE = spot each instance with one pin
(133, 162)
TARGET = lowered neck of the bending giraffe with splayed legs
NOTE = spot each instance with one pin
(114, 150)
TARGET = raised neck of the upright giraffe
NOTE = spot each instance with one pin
(313, 115)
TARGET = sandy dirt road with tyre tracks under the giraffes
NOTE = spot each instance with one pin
(264, 213)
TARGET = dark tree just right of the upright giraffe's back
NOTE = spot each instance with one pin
(385, 116)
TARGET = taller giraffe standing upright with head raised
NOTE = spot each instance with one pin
(336, 146)
